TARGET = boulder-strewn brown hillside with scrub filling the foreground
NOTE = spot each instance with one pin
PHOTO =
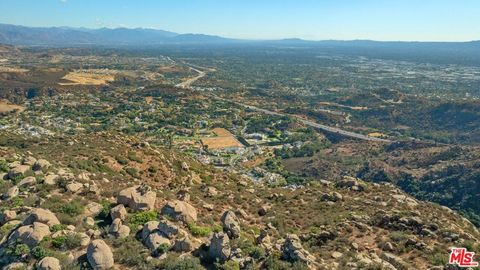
(160, 209)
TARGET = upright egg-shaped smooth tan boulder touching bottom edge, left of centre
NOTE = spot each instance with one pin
(99, 255)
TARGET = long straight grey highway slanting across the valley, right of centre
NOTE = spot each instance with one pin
(310, 123)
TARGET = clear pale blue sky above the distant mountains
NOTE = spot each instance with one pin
(436, 20)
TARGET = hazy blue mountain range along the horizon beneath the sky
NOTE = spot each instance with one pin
(68, 36)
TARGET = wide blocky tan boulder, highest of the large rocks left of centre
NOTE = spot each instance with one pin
(138, 198)
